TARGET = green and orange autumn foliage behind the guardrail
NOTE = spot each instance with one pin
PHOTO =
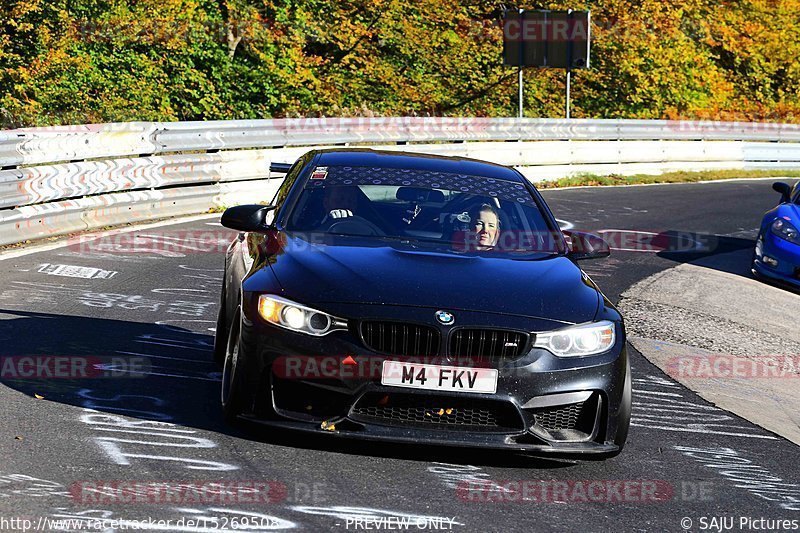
(78, 61)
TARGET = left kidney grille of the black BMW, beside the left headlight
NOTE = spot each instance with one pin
(395, 338)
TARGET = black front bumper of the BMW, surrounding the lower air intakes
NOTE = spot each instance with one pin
(543, 404)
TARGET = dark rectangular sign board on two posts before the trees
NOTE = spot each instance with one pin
(546, 39)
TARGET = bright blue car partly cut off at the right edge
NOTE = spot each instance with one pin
(777, 253)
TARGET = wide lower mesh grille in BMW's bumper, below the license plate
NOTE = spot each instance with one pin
(438, 412)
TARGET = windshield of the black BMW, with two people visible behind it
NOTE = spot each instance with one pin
(459, 211)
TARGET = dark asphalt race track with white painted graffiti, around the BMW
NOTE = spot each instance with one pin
(61, 437)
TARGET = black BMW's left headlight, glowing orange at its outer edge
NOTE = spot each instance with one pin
(297, 317)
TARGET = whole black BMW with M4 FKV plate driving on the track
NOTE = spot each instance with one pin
(416, 298)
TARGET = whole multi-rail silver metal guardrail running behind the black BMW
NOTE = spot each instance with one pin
(65, 178)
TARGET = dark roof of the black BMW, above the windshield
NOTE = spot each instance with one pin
(391, 159)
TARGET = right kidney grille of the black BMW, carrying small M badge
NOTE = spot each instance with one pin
(487, 345)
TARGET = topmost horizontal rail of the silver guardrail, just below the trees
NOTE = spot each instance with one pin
(71, 143)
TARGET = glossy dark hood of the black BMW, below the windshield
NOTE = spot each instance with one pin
(552, 287)
